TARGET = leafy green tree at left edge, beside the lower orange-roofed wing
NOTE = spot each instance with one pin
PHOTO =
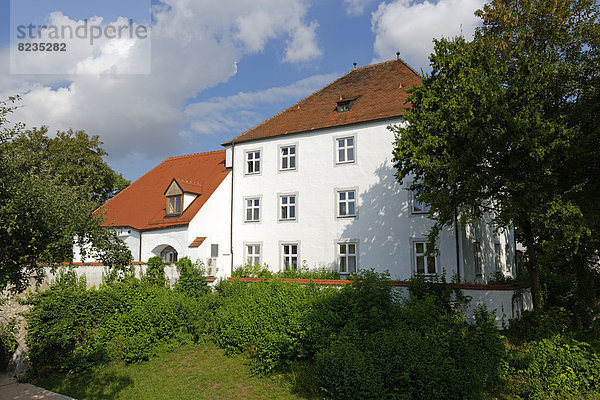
(48, 194)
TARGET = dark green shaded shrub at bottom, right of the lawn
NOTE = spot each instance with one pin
(416, 359)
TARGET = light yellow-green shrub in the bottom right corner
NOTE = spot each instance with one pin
(554, 368)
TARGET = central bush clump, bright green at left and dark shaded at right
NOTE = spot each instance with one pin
(366, 343)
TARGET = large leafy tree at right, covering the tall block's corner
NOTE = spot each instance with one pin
(508, 124)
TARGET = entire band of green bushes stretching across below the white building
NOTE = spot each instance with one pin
(360, 341)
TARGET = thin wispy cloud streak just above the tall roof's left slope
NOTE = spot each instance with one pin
(238, 112)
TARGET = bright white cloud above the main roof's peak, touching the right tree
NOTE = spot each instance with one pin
(410, 27)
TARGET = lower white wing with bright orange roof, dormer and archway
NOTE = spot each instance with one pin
(178, 209)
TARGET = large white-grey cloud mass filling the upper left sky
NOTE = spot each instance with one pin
(195, 45)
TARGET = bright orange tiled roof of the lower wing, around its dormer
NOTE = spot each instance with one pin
(142, 204)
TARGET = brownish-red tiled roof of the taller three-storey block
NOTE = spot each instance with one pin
(376, 92)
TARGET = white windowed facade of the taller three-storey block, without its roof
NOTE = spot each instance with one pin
(386, 230)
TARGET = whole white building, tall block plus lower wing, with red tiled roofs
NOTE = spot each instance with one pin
(313, 185)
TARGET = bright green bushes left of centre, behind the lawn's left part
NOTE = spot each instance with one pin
(71, 328)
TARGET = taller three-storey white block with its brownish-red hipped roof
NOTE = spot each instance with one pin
(315, 185)
